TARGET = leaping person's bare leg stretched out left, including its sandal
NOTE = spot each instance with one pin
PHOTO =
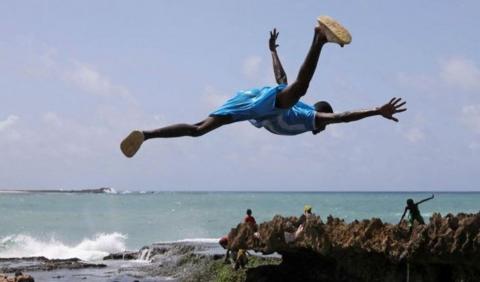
(132, 142)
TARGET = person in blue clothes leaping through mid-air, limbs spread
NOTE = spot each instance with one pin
(278, 109)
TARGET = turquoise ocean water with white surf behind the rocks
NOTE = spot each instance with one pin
(89, 226)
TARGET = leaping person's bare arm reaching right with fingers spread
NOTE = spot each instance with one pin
(387, 111)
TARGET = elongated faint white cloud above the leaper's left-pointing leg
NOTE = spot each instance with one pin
(90, 80)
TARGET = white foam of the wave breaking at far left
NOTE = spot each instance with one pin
(89, 249)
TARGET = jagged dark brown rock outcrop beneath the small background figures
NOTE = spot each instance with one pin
(445, 249)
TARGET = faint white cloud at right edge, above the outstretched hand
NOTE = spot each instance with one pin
(462, 73)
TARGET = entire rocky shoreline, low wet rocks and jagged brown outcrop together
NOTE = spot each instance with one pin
(445, 249)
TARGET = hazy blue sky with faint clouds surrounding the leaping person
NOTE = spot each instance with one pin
(77, 76)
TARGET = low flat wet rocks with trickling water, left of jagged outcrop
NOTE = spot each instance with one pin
(157, 262)
